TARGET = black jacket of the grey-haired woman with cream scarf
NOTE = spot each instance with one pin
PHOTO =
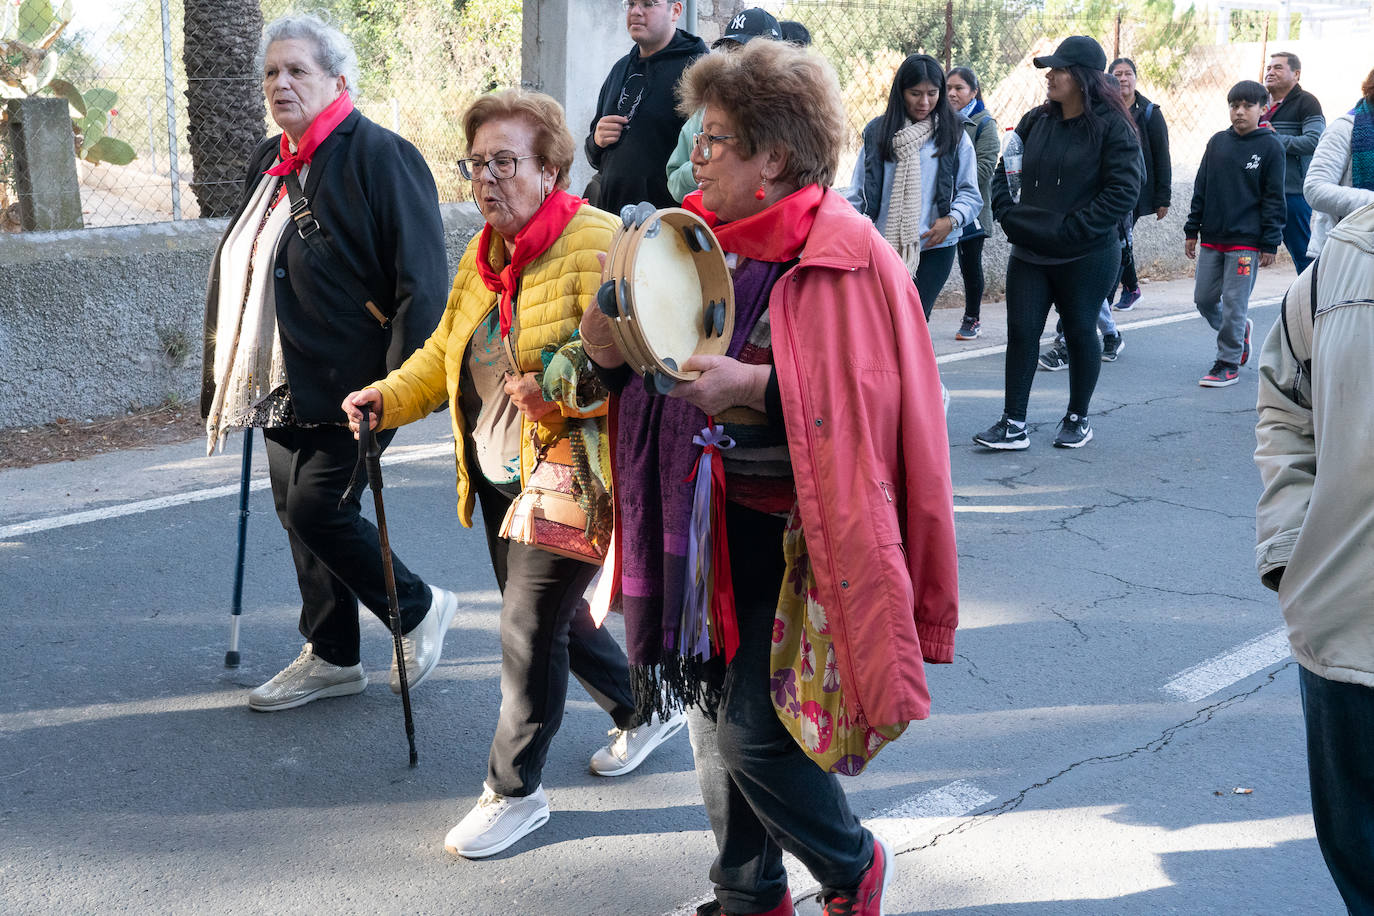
(377, 204)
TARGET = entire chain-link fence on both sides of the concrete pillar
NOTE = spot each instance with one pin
(166, 98)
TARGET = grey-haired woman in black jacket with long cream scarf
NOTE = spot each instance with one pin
(330, 273)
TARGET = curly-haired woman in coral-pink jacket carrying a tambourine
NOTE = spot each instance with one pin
(839, 513)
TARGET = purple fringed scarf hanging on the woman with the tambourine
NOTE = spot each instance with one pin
(655, 457)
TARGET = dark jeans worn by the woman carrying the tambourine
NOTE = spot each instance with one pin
(763, 794)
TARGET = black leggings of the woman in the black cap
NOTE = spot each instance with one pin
(1077, 290)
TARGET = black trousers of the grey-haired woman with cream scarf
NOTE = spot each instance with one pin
(339, 558)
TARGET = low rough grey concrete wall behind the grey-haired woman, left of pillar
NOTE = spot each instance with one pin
(100, 321)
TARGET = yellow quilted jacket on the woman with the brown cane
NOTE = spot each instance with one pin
(556, 289)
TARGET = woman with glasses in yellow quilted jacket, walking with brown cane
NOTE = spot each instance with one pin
(517, 299)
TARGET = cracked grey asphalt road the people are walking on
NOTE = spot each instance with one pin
(1119, 676)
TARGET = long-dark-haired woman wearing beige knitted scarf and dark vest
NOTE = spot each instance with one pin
(917, 176)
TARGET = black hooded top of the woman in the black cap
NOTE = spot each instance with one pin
(1075, 189)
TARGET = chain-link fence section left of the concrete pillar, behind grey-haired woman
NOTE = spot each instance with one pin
(166, 97)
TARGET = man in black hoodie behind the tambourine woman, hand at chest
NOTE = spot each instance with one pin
(637, 120)
